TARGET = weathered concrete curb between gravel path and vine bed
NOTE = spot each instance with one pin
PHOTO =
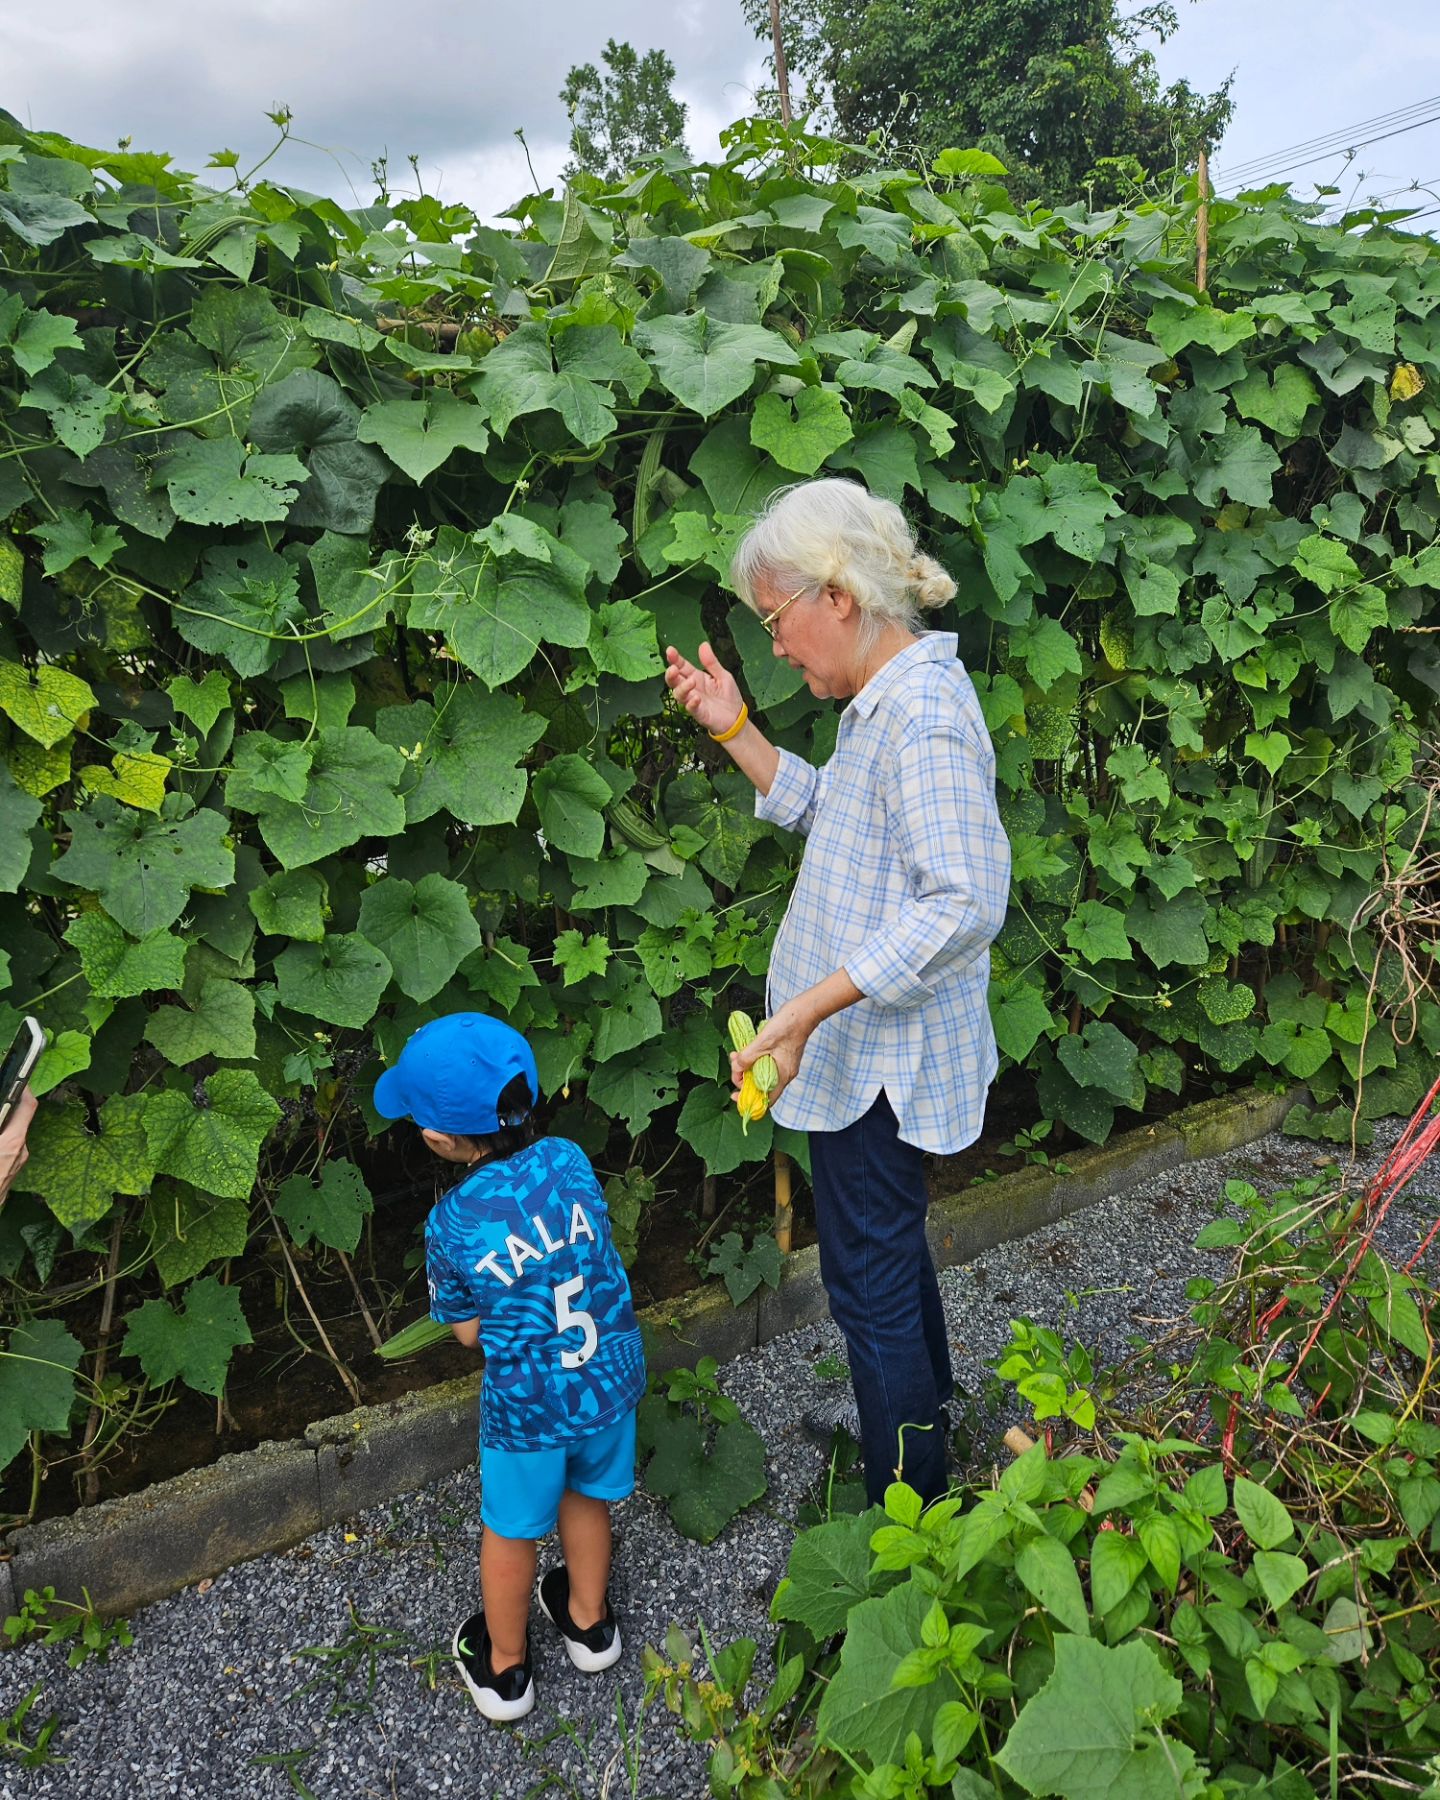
(134, 1551)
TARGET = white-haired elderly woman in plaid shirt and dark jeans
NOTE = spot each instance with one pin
(877, 993)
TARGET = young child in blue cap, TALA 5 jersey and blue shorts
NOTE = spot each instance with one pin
(521, 1261)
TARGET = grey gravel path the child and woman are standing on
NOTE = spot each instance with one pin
(213, 1677)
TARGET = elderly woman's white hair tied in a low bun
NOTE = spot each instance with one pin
(838, 534)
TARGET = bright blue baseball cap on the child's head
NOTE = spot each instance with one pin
(453, 1072)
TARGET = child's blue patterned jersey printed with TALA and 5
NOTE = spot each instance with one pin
(526, 1248)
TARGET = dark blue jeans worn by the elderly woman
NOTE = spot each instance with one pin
(876, 1263)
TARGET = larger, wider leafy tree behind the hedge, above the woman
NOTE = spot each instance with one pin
(1054, 87)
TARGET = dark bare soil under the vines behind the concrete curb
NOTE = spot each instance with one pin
(283, 1381)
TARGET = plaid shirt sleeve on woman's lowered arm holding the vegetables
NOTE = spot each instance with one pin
(946, 829)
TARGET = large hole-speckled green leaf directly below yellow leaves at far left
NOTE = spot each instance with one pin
(145, 868)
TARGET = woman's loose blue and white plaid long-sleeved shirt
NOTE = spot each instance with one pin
(904, 885)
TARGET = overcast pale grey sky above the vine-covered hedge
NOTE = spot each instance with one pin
(453, 84)
